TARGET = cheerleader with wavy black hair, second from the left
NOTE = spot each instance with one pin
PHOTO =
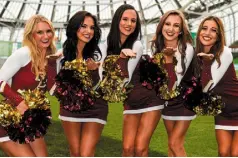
(83, 127)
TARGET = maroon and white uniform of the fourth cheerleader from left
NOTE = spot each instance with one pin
(174, 109)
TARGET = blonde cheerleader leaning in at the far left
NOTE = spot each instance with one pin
(28, 68)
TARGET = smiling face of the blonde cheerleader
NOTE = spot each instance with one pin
(43, 35)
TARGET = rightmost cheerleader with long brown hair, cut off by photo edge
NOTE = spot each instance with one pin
(218, 76)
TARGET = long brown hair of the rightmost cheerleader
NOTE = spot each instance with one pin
(218, 47)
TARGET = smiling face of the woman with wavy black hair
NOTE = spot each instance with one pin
(86, 31)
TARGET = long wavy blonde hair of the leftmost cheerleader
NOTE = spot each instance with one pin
(38, 63)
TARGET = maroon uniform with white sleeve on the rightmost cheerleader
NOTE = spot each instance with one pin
(225, 84)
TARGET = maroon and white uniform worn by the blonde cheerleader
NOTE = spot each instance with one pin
(16, 73)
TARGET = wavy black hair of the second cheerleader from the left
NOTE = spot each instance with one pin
(70, 45)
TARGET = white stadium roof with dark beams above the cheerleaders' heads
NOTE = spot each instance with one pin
(14, 13)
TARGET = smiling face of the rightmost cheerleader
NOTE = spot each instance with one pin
(208, 34)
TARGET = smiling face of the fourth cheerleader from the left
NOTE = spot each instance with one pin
(172, 28)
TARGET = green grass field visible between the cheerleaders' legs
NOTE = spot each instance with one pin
(200, 140)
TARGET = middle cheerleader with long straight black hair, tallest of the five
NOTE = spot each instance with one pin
(141, 107)
